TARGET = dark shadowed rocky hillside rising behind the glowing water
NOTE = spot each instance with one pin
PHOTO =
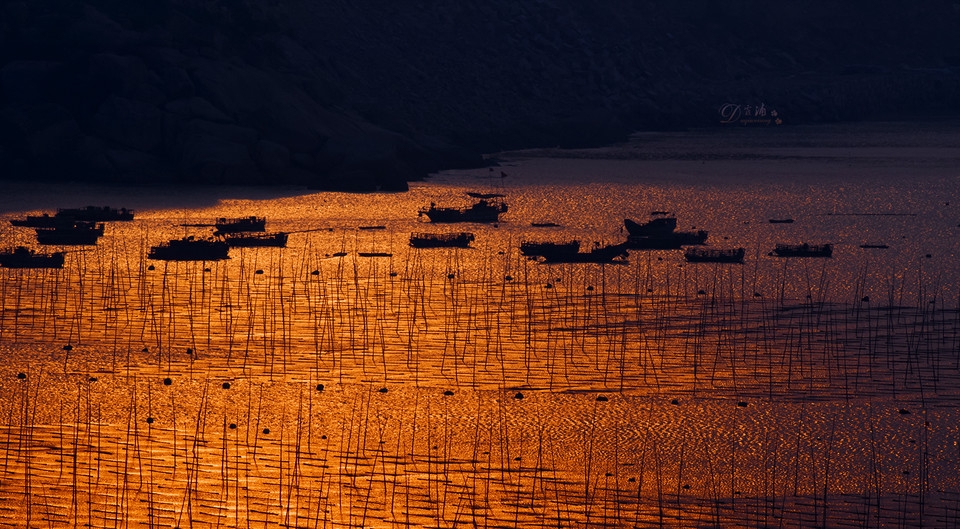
(365, 95)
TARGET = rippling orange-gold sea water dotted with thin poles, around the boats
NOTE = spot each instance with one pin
(453, 387)
